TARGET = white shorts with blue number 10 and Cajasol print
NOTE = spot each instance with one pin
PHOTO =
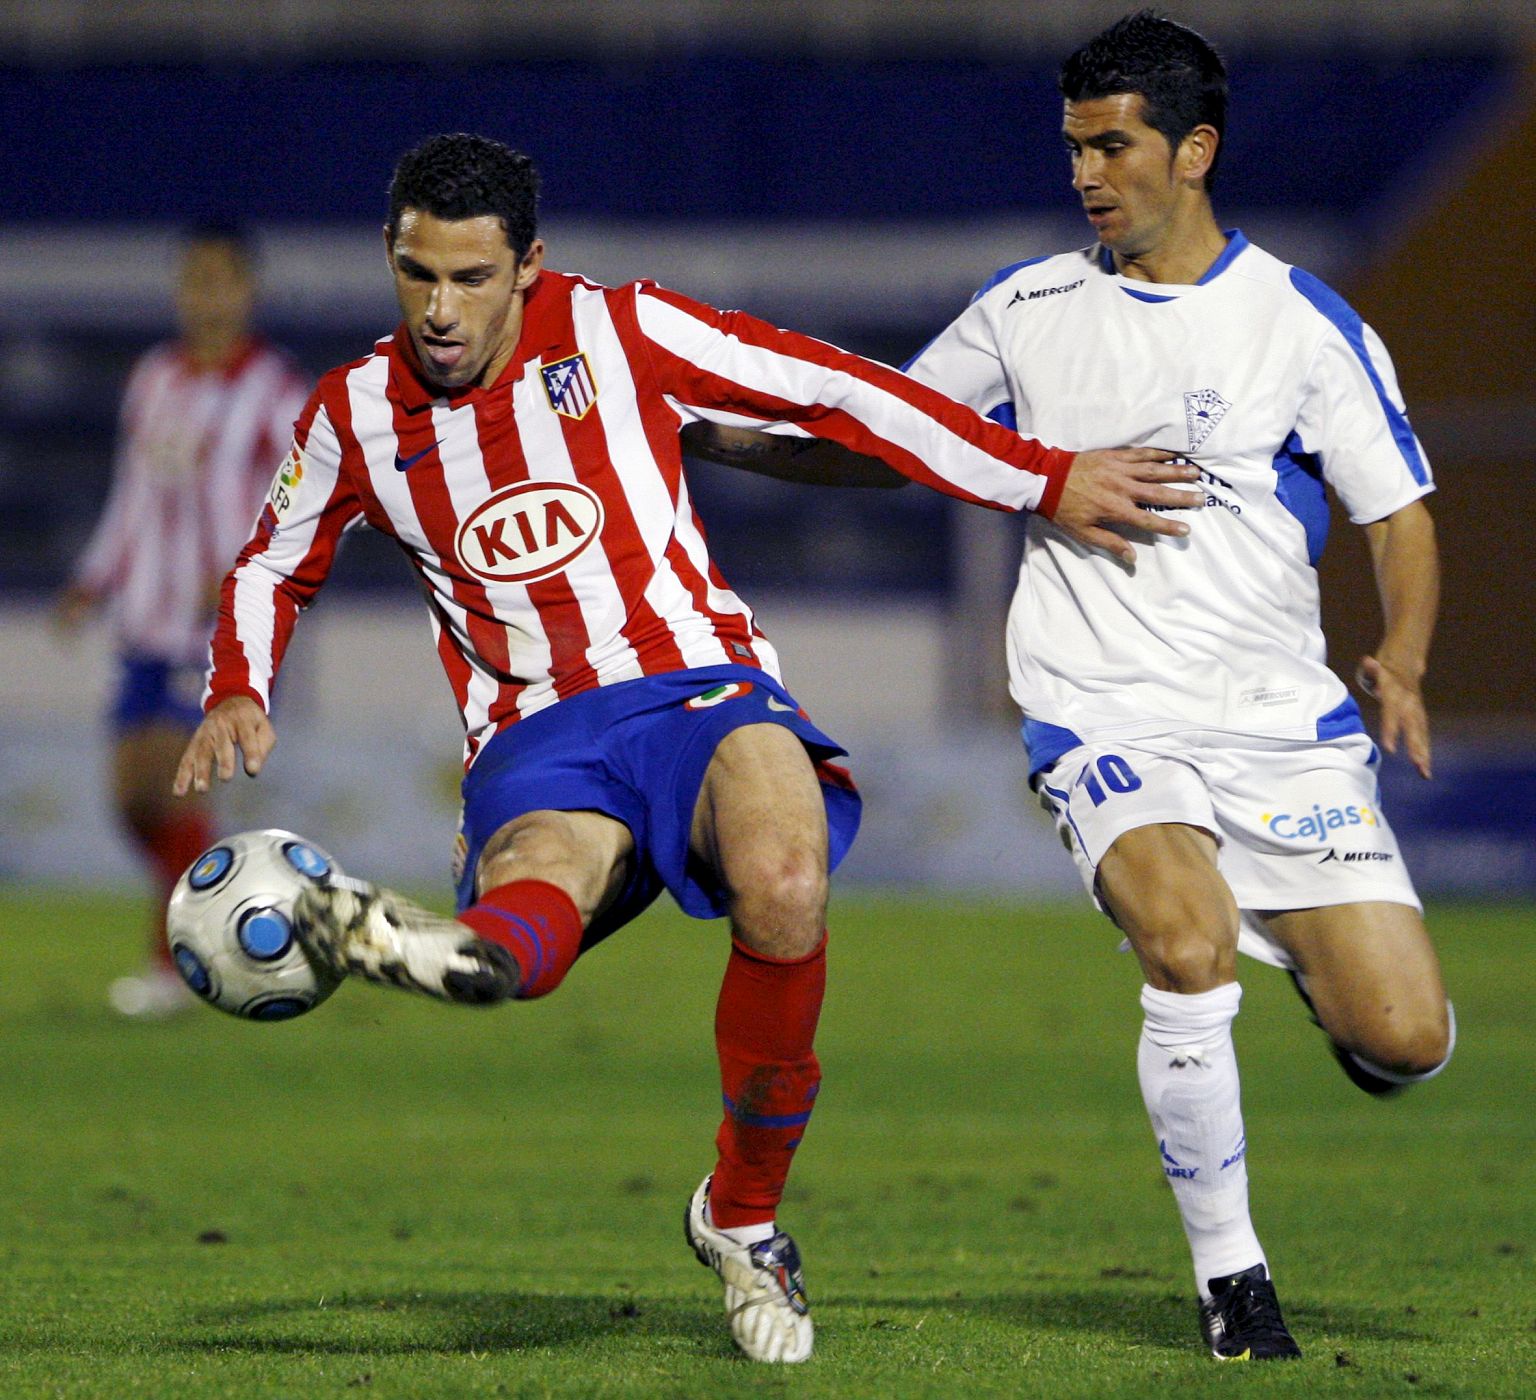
(1299, 823)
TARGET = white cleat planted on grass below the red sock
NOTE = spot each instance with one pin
(764, 1287)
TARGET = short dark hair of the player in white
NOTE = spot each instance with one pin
(1174, 70)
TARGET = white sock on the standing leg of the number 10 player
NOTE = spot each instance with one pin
(1190, 1083)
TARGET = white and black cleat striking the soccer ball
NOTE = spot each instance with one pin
(354, 927)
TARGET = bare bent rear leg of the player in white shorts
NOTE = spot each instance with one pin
(1372, 978)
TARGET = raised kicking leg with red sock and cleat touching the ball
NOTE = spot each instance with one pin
(543, 878)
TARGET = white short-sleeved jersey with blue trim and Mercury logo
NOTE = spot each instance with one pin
(1276, 388)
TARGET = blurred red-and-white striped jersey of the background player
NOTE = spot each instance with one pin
(196, 451)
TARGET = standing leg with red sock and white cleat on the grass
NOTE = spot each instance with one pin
(761, 826)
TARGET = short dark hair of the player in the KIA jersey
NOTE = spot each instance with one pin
(463, 176)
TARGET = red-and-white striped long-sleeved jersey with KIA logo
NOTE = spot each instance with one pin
(548, 514)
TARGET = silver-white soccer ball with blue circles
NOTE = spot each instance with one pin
(231, 926)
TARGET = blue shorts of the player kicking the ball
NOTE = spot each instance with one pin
(638, 752)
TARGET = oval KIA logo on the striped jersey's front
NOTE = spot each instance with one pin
(529, 532)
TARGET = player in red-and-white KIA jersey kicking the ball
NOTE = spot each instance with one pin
(626, 723)
